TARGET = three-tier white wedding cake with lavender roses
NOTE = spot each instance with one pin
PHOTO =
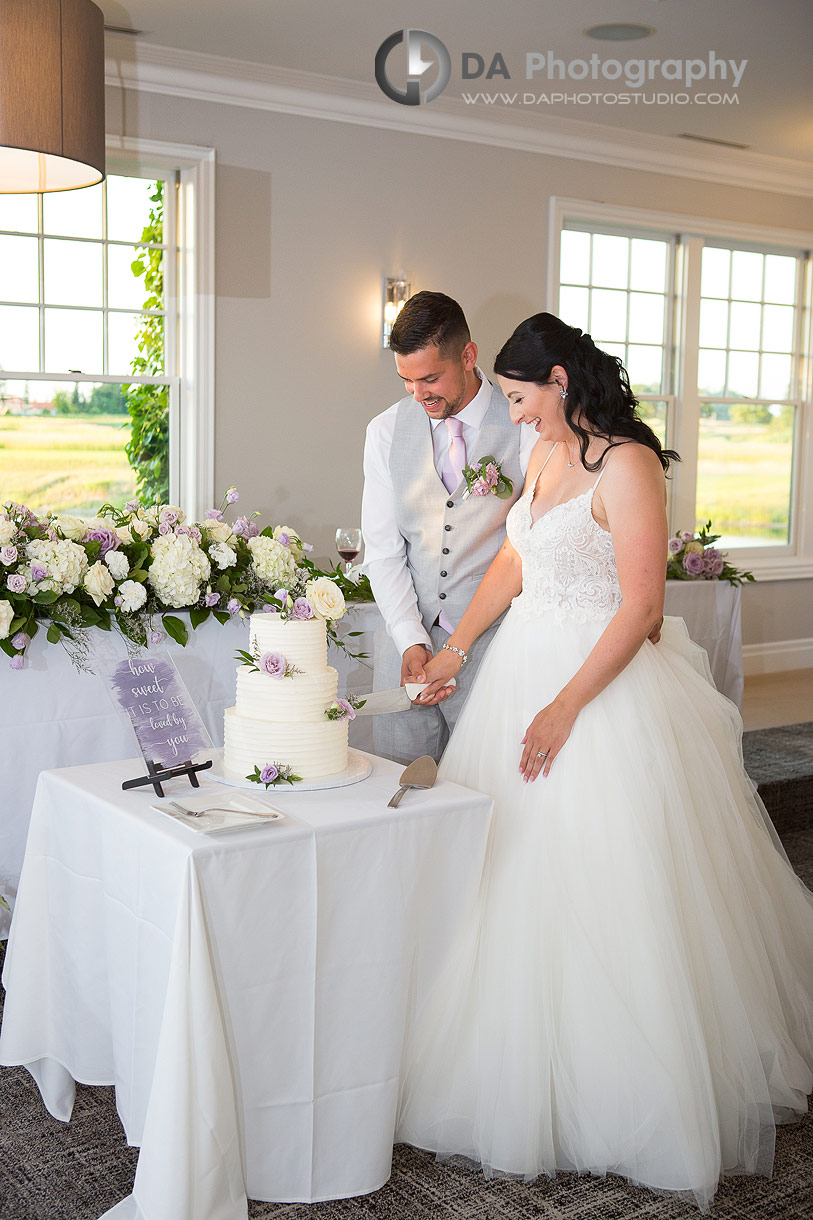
(280, 720)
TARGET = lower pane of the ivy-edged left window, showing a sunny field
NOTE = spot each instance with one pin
(63, 447)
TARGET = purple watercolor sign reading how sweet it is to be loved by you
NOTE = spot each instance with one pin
(165, 720)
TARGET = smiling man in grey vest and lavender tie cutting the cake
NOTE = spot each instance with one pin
(427, 547)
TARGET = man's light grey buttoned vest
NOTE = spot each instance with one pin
(450, 541)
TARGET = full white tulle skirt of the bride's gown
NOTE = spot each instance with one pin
(634, 994)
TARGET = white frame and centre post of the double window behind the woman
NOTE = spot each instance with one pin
(793, 562)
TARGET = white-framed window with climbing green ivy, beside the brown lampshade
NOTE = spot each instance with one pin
(106, 337)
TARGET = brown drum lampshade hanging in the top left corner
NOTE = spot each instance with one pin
(52, 96)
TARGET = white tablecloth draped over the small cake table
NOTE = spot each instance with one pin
(247, 995)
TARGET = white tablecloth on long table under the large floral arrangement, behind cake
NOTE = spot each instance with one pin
(53, 716)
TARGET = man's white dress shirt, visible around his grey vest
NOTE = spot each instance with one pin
(385, 550)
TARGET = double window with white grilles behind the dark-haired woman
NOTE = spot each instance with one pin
(711, 321)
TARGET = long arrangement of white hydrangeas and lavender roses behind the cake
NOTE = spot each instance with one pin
(129, 569)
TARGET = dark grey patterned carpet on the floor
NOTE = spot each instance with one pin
(75, 1172)
